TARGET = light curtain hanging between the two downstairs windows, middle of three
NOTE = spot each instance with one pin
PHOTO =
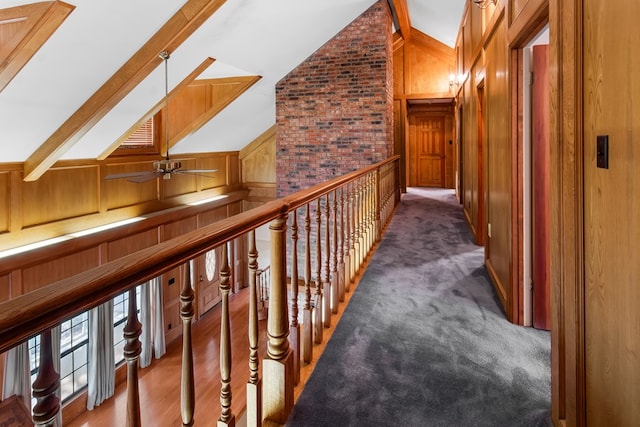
(101, 358)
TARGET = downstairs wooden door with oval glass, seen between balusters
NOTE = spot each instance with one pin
(207, 279)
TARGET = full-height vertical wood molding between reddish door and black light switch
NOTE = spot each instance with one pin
(567, 227)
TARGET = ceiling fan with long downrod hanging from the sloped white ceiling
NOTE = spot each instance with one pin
(166, 167)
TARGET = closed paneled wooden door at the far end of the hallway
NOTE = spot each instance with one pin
(429, 134)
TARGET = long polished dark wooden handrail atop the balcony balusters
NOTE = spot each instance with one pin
(41, 309)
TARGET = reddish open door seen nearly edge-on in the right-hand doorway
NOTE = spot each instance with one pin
(540, 171)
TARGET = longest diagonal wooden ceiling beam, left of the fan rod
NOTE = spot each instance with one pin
(175, 31)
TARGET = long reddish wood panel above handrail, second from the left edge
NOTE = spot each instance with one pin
(49, 272)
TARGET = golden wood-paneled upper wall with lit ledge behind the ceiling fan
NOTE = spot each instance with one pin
(74, 196)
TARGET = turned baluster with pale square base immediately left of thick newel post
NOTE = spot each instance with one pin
(254, 386)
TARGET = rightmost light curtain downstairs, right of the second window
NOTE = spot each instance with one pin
(152, 319)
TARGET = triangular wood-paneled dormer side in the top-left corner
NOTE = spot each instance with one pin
(23, 30)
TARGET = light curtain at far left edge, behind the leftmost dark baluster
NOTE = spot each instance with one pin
(17, 374)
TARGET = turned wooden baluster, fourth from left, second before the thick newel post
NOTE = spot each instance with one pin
(227, 418)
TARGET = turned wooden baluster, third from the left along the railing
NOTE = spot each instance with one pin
(187, 389)
